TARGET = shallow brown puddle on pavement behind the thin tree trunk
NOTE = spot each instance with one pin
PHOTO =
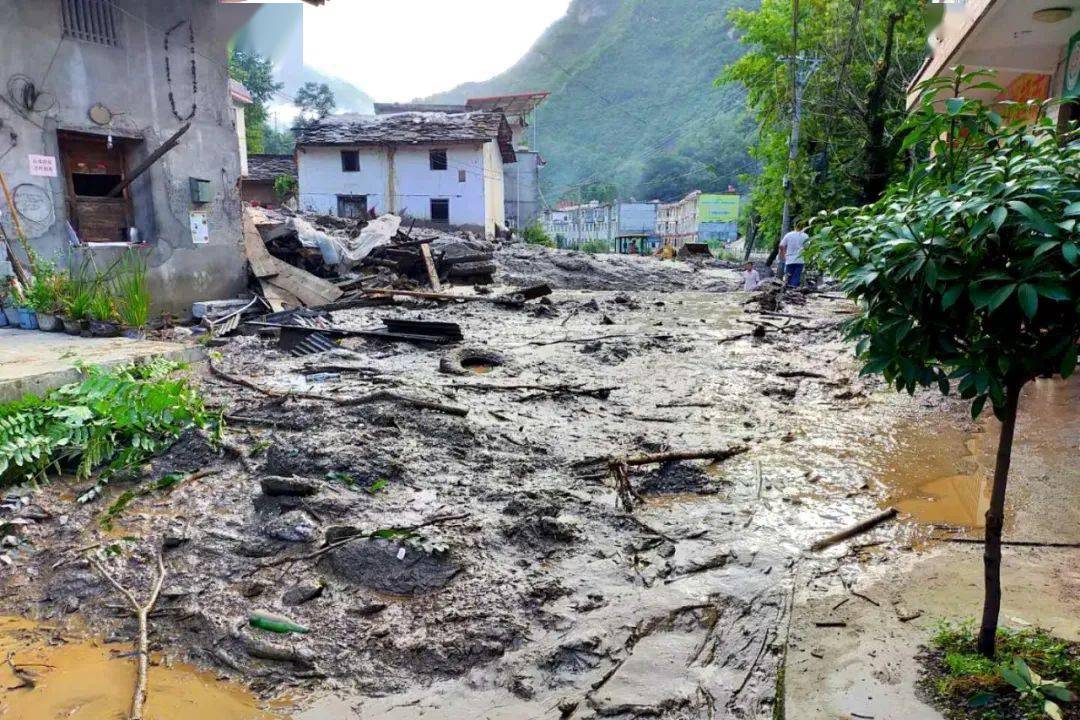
(943, 476)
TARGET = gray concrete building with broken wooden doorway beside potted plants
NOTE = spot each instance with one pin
(97, 87)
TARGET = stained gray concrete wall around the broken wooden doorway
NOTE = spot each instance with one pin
(131, 79)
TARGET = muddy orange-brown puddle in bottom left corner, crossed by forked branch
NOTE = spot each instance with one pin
(84, 681)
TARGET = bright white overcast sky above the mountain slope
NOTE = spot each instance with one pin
(399, 50)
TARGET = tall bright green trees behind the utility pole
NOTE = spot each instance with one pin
(854, 105)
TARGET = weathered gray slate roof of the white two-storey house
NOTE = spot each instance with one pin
(412, 129)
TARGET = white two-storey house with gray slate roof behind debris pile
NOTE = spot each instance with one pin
(439, 168)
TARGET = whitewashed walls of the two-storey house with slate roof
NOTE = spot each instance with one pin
(408, 185)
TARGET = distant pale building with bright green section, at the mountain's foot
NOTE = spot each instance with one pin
(710, 219)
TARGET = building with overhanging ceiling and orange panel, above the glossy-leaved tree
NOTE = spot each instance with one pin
(1033, 46)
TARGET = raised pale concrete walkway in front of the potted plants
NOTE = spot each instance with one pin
(33, 362)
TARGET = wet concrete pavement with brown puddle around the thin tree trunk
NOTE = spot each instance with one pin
(867, 669)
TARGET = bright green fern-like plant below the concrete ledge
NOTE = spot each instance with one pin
(114, 419)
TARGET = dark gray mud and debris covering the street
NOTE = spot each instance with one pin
(530, 592)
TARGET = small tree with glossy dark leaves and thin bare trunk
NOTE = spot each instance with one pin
(968, 273)
